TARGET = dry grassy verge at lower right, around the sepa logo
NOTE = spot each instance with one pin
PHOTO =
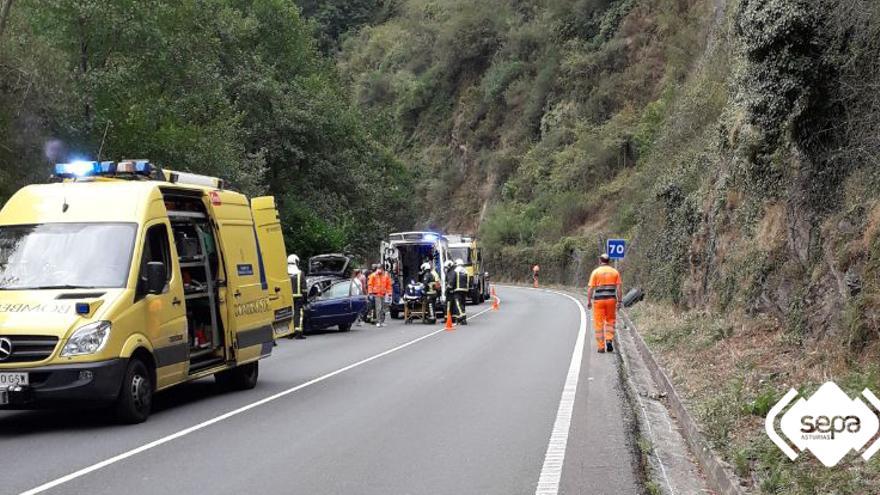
(731, 371)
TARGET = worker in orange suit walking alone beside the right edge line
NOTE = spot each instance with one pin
(603, 297)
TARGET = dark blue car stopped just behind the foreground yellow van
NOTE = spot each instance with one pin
(337, 305)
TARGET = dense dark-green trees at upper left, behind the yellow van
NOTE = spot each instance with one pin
(233, 88)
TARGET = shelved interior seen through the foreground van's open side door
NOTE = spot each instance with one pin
(199, 265)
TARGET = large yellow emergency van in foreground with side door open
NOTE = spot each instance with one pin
(120, 279)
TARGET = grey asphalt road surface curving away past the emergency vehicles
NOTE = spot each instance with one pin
(463, 412)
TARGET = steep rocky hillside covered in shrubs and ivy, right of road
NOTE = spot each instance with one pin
(733, 142)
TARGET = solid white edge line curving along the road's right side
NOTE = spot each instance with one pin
(551, 472)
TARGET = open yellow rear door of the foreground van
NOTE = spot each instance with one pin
(271, 241)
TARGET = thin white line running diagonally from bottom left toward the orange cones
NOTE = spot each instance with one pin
(192, 429)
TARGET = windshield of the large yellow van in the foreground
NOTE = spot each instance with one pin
(65, 255)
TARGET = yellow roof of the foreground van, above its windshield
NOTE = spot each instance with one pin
(93, 200)
